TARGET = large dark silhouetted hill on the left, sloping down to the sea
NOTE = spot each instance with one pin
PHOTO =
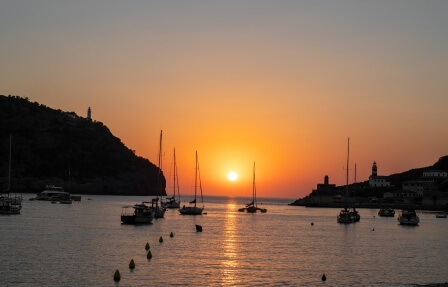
(51, 146)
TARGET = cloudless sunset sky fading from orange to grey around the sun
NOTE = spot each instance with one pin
(281, 83)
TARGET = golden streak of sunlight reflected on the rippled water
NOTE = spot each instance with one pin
(229, 262)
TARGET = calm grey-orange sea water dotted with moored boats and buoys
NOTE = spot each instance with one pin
(84, 243)
